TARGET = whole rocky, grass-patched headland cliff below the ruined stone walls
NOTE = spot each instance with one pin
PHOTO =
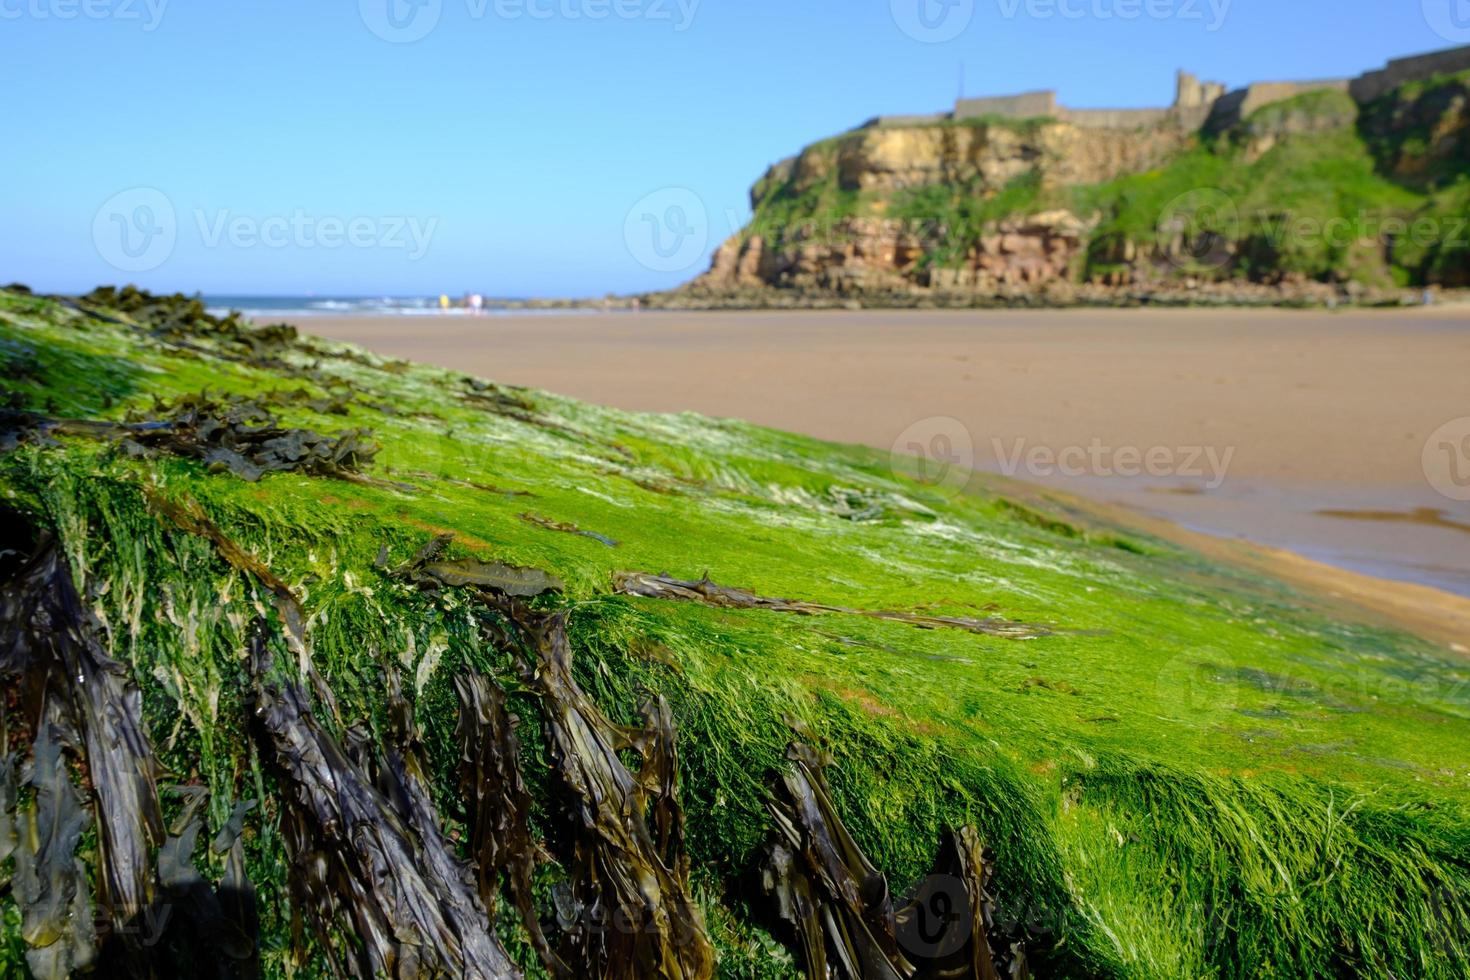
(1303, 192)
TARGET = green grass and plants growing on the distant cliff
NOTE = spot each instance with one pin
(1313, 187)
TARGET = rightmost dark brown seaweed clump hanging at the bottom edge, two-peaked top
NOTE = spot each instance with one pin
(837, 906)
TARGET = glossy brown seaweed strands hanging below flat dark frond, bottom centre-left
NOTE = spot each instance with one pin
(630, 912)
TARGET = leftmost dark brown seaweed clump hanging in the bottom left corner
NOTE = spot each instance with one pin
(159, 916)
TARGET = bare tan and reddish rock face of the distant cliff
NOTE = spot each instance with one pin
(859, 248)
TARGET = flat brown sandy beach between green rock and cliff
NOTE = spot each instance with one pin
(1296, 430)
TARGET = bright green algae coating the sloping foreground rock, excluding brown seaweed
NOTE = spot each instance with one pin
(1196, 777)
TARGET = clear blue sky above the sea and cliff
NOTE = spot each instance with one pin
(286, 146)
